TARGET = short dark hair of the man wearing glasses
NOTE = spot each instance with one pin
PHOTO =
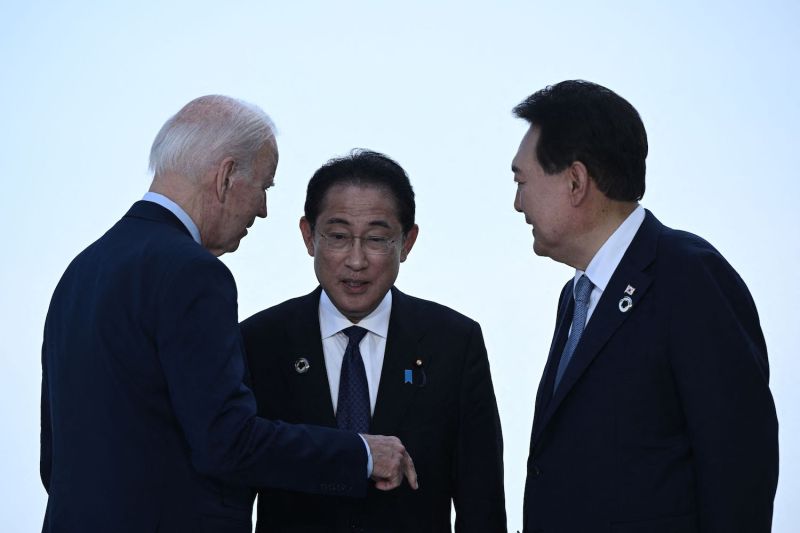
(362, 168)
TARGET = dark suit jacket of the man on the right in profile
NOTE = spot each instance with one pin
(663, 421)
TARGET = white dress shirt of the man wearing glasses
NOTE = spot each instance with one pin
(372, 346)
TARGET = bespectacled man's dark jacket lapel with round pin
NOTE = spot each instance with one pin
(311, 389)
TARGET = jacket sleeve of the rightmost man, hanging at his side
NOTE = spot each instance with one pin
(720, 364)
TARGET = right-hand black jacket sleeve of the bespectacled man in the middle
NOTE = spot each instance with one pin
(479, 498)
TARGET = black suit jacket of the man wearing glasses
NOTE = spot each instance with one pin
(447, 418)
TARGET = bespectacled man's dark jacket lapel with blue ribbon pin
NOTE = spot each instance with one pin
(406, 329)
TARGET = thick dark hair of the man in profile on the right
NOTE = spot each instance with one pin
(582, 121)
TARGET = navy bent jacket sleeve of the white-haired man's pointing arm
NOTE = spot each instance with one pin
(200, 350)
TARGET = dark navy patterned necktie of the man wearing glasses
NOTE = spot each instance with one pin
(352, 409)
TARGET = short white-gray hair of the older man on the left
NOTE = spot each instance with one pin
(206, 131)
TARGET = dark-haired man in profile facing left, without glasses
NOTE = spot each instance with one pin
(654, 412)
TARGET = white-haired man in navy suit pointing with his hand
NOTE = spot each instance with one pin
(146, 425)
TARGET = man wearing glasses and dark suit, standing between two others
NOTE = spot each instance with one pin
(357, 353)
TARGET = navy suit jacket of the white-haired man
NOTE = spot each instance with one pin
(146, 425)
